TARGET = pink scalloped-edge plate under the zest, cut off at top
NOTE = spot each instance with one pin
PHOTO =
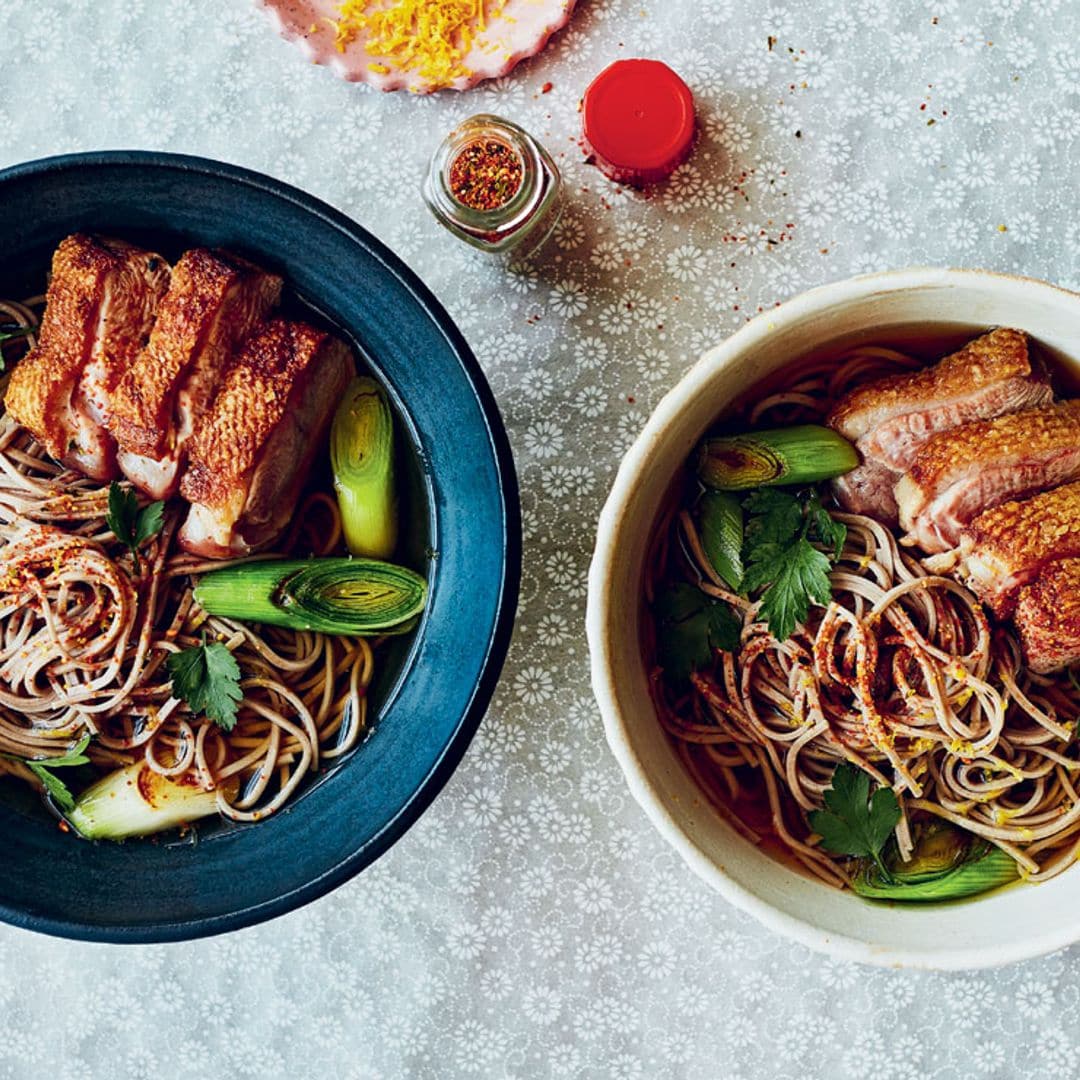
(521, 31)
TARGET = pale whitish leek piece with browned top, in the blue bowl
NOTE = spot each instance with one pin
(139, 802)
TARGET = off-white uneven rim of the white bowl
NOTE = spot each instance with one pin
(601, 632)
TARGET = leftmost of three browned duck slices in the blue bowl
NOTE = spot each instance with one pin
(101, 306)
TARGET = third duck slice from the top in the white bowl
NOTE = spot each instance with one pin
(1006, 548)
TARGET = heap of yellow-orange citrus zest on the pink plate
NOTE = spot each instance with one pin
(429, 37)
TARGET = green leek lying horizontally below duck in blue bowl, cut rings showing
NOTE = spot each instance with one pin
(355, 597)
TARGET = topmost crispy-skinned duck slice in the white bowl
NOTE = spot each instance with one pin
(889, 420)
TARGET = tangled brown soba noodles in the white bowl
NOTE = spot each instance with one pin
(902, 674)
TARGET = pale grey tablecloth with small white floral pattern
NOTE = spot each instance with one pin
(533, 925)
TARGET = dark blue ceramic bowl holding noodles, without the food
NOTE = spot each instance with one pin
(464, 526)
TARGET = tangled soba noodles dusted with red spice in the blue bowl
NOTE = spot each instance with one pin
(85, 638)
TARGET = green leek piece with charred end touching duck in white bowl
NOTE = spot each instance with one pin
(802, 455)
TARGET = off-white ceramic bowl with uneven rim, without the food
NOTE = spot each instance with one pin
(1012, 925)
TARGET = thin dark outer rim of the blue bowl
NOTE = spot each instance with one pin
(498, 642)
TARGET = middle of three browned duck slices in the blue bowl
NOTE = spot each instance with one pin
(215, 301)
